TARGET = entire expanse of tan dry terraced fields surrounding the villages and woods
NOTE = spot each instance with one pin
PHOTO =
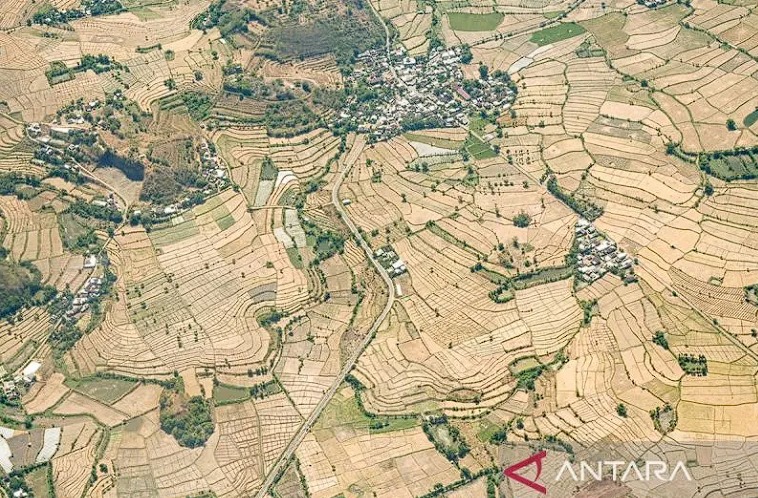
(192, 291)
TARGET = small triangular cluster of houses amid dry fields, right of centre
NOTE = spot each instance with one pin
(598, 255)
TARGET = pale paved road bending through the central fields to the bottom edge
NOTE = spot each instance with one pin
(351, 361)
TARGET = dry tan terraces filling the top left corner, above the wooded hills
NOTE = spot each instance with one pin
(28, 55)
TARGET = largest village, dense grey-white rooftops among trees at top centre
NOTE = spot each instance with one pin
(400, 92)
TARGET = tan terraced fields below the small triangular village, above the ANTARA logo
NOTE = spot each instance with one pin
(613, 360)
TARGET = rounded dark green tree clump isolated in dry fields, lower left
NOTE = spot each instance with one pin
(188, 420)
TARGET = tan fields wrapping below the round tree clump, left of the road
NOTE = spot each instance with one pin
(247, 440)
